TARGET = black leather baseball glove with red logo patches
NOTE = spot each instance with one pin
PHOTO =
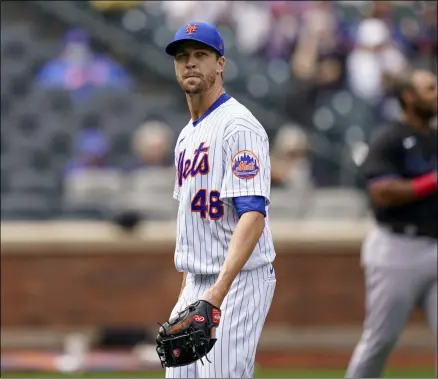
(187, 338)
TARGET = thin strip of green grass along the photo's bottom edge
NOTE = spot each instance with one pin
(305, 373)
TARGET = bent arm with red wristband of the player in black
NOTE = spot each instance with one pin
(386, 187)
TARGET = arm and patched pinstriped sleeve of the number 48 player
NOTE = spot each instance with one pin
(245, 185)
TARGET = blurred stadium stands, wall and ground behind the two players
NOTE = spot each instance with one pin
(90, 111)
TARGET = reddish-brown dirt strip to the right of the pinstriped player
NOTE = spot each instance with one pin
(325, 359)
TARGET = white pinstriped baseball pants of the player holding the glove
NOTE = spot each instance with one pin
(244, 311)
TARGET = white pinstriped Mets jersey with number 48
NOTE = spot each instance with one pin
(225, 155)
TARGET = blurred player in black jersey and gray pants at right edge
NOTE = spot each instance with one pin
(400, 252)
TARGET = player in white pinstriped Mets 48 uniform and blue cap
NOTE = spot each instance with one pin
(224, 246)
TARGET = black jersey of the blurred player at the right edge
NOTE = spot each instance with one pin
(400, 151)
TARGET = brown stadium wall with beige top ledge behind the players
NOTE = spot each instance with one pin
(89, 274)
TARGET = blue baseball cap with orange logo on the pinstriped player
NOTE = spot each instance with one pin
(199, 32)
